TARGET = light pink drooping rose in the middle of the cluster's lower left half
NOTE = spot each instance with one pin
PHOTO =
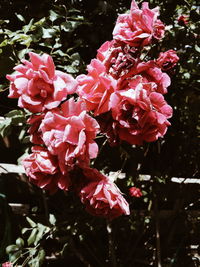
(69, 133)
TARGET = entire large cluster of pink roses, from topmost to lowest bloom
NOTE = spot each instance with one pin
(123, 93)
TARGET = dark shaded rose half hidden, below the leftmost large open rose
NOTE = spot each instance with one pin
(35, 134)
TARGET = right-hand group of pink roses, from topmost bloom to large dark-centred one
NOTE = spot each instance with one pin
(124, 91)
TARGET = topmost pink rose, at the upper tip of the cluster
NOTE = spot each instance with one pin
(139, 26)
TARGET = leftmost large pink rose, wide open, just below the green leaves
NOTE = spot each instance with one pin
(38, 85)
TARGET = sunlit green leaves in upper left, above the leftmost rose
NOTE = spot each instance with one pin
(49, 34)
